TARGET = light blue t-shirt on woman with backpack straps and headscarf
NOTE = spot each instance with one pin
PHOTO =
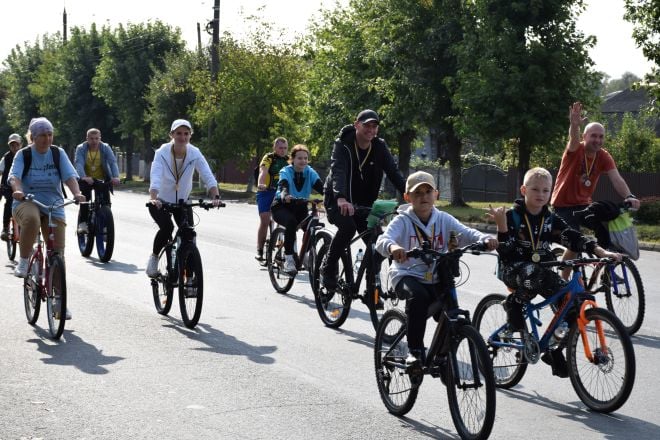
(42, 179)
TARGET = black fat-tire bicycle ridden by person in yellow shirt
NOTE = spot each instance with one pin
(100, 224)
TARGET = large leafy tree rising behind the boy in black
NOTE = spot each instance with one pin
(521, 64)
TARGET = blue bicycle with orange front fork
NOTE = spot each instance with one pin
(601, 367)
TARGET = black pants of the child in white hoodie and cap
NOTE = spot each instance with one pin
(420, 297)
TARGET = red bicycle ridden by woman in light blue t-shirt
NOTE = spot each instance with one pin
(46, 277)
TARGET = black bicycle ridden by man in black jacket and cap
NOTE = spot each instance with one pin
(334, 306)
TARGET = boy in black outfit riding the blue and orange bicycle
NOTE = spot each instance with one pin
(525, 233)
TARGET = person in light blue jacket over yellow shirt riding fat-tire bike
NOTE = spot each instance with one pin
(94, 160)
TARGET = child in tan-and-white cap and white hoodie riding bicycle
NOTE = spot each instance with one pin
(419, 222)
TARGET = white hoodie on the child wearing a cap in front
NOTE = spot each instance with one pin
(402, 232)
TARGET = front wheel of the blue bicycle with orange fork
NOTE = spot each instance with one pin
(603, 383)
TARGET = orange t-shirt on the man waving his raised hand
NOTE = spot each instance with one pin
(570, 188)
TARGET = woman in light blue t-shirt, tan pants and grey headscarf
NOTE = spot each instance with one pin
(34, 171)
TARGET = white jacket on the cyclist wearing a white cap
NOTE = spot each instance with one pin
(163, 178)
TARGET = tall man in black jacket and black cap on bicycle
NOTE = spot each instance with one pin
(359, 159)
